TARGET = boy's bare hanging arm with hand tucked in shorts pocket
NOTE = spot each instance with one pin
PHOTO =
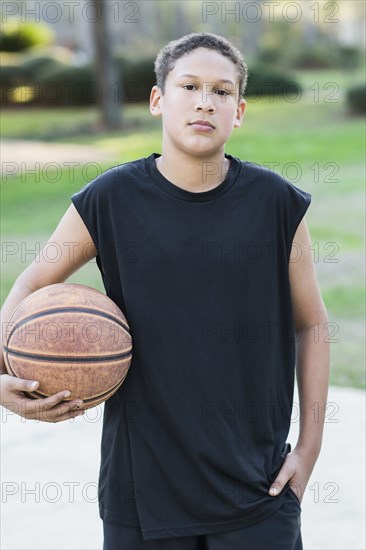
(312, 363)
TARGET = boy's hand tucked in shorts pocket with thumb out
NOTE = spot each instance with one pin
(296, 470)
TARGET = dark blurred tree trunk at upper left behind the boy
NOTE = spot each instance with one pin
(109, 86)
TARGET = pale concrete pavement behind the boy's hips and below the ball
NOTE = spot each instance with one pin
(49, 481)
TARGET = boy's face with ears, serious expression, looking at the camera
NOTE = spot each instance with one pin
(203, 86)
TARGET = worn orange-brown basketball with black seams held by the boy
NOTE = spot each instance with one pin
(69, 337)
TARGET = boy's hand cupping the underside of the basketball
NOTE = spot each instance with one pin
(13, 396)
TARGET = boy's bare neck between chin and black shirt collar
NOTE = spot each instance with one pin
(194, 174)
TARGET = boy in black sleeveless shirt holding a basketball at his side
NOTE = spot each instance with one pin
(209, 258)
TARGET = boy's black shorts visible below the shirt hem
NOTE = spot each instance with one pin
(281, 531)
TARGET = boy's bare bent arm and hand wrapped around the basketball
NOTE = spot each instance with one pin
(76, 249)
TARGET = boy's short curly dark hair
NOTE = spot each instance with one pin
(171, 52)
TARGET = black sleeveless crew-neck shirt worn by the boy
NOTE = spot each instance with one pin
(192, 439)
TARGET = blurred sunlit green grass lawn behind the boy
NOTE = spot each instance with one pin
(317, 145)
